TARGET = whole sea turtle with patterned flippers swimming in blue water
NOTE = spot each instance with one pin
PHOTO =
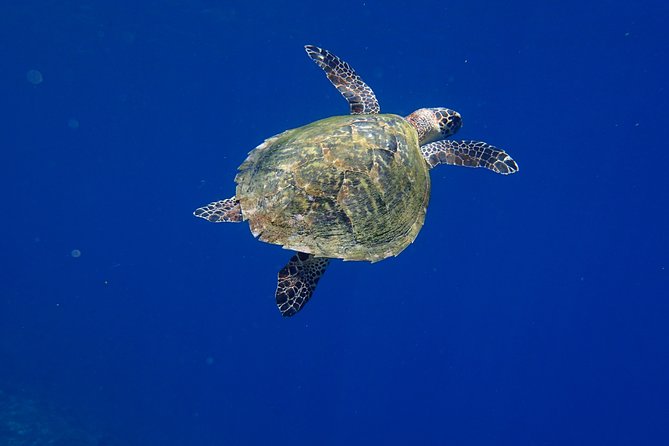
(353, 187)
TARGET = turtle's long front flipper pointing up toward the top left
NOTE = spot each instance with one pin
(358, 94)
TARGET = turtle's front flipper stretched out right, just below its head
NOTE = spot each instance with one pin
(470, 154)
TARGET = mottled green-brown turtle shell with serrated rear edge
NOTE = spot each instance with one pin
(352, 187)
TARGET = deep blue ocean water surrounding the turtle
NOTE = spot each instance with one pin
(531, 310)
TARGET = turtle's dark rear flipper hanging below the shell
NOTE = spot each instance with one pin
(297, 282)
